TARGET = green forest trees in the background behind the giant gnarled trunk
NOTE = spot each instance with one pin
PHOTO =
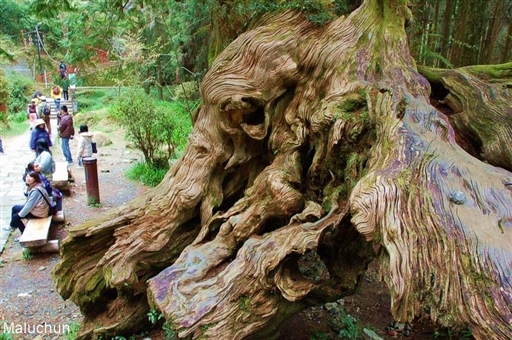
(156, 44)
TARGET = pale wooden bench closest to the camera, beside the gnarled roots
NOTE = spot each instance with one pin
(36, 230)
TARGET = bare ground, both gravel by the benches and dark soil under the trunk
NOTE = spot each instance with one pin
(28, 292)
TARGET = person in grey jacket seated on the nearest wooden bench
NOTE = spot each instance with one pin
(36, 205)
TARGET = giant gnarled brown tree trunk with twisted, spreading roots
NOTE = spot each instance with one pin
(316, 149)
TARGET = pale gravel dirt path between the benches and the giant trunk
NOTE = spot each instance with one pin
(28, 299)
